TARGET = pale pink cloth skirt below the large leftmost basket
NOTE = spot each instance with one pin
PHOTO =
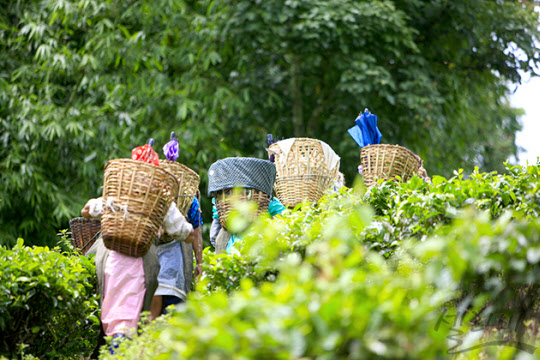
(123, 294)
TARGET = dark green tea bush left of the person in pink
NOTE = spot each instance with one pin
(48, 303)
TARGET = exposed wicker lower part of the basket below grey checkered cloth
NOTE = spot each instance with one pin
(226, 199)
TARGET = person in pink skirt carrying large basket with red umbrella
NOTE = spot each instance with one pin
(136, 201)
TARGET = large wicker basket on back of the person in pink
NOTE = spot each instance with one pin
(136, 196)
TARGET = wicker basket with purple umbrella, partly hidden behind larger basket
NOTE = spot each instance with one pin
(188, 181)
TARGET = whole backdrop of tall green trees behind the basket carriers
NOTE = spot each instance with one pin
(84, 81)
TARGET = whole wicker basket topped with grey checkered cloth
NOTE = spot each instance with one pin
(255, 177)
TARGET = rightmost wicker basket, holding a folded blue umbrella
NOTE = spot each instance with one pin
(387, 162)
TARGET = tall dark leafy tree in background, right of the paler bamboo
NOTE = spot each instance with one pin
(434, 71)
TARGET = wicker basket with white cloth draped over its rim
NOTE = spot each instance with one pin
(305, 169)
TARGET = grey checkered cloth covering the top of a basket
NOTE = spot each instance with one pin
(241, 172)
